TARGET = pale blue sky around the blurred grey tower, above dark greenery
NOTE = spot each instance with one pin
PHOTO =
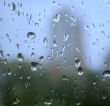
(93, 14)
